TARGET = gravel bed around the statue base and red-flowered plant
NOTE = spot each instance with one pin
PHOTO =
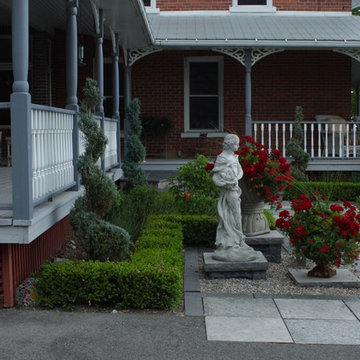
(278, 282)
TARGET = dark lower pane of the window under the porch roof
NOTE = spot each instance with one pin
(204, 113)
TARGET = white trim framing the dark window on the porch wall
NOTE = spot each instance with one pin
(220, 61)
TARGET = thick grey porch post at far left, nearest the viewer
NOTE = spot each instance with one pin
(21, 145)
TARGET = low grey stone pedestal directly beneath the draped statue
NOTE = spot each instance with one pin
(254, 270)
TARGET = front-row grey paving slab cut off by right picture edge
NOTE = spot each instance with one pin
(341, 332)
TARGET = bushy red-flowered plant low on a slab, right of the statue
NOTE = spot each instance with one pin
(326, 234)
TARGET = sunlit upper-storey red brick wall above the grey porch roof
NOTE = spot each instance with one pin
(289, 5)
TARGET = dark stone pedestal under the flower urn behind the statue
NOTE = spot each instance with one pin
(269, 244)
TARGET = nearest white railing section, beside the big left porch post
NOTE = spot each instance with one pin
(52, 155)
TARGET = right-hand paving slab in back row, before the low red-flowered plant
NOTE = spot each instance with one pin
(314, 309)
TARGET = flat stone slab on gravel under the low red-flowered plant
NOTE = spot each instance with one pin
(343, 278)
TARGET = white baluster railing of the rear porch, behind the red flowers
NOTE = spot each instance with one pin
(321, 139)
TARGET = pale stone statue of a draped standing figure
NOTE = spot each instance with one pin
(227, 172)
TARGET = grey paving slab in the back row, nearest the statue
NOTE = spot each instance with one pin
(240, 307)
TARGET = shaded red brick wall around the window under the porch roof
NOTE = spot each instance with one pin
(318, 81)
